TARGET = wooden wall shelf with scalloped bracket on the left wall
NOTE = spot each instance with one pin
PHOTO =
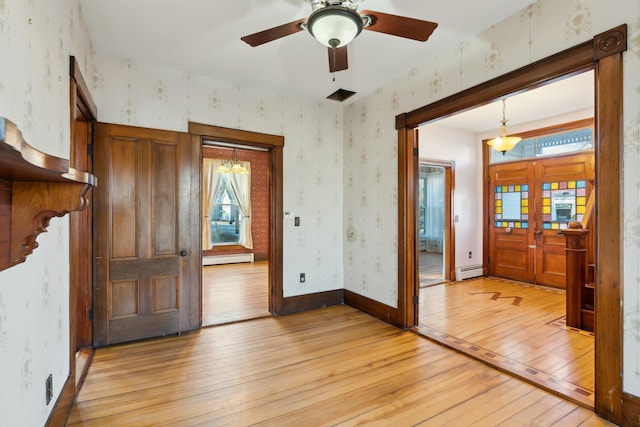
(34, 187)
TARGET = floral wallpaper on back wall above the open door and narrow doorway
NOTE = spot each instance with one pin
(146, 95)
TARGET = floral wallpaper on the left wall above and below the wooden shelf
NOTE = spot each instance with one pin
(36, 39)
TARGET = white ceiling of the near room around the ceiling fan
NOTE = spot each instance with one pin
(203, 37)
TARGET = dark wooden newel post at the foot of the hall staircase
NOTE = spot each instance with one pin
(576, 270)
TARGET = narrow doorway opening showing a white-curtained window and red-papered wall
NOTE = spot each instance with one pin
(235, 232)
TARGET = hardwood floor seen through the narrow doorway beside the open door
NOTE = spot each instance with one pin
(234, 292)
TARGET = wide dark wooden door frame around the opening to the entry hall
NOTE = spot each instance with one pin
(604, 55)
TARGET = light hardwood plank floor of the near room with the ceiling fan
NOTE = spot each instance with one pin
(333, 366)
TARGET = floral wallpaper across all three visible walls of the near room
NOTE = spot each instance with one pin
(340, 161)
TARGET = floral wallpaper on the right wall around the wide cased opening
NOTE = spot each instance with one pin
(543, 28)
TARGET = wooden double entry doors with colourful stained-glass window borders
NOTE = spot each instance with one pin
(529, 203)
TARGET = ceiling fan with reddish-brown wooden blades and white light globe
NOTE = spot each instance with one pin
(336, 23)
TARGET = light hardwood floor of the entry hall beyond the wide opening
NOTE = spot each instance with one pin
(515, 327)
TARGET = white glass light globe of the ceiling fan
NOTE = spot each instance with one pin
(334, 26)
